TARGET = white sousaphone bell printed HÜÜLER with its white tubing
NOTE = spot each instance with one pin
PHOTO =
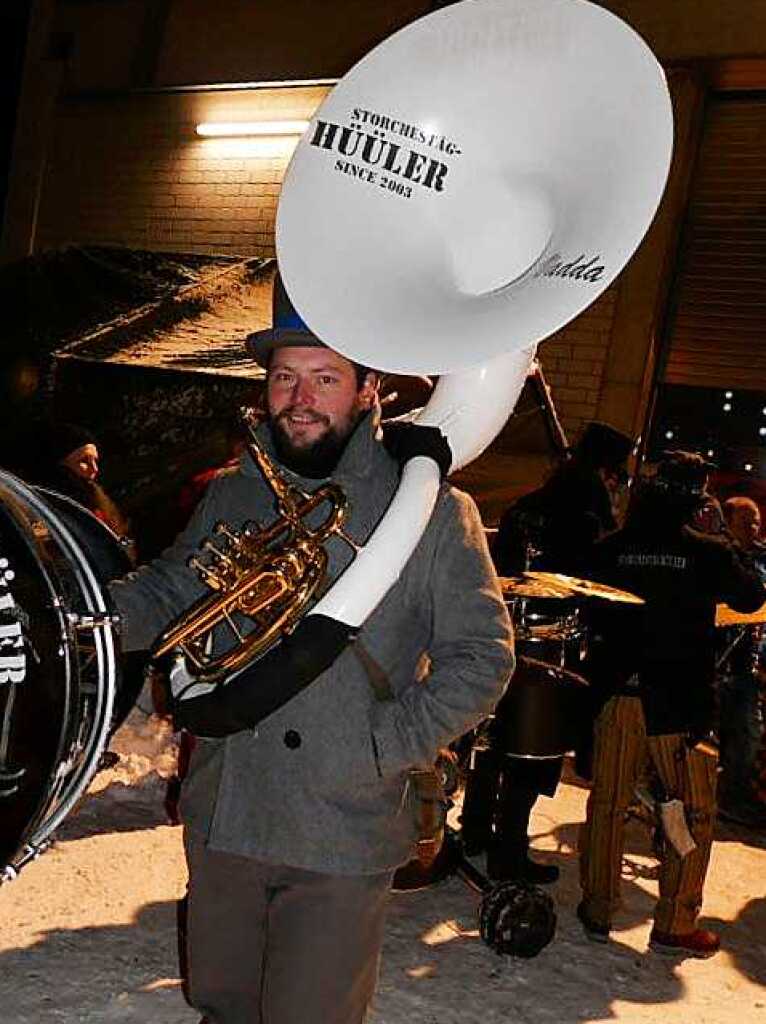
(470, 188)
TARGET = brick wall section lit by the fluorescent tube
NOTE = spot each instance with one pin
(132, 172)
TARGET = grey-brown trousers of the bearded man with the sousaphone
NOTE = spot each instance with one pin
(270, 945)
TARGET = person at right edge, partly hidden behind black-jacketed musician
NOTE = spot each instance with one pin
(741, 728)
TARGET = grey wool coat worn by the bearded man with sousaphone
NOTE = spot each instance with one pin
(322, 785)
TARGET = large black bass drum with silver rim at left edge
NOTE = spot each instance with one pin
(60, 678)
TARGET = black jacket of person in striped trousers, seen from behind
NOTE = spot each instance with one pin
(669, 643)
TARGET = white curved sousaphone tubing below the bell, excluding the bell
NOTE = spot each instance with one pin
(471, 408)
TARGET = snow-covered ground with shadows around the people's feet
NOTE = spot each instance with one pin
(88, 933)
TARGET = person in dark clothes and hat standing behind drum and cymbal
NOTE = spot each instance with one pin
(551, 529)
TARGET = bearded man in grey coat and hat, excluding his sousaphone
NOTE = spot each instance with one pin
(293, 829)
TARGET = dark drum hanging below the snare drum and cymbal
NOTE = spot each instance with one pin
(542, 713)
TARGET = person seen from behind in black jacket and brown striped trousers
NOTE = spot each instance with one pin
(653, 665)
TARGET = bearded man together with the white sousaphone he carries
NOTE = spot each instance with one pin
(297, 813)
